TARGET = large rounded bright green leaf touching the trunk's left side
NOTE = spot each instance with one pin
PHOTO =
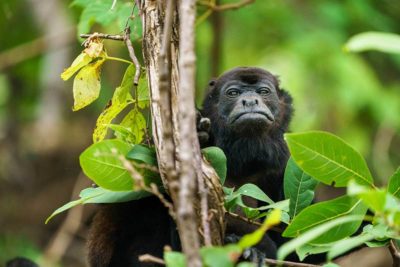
(101, 163)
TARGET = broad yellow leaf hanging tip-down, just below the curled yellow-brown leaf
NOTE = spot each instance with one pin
(86, 86)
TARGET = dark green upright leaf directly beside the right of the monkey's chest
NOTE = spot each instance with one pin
(299, 188)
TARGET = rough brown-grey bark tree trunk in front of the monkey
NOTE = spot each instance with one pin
(181, 165)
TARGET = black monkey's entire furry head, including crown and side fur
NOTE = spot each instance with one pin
(247, 101)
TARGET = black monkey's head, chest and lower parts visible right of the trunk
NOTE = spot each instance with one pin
(249, 114)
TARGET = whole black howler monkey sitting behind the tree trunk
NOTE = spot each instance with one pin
(249, 114)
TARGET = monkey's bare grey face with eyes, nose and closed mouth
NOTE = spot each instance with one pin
(248, 107)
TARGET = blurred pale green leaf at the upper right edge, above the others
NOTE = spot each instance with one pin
(379, 41)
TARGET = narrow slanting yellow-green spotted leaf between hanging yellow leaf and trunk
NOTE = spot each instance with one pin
(120, 100)
